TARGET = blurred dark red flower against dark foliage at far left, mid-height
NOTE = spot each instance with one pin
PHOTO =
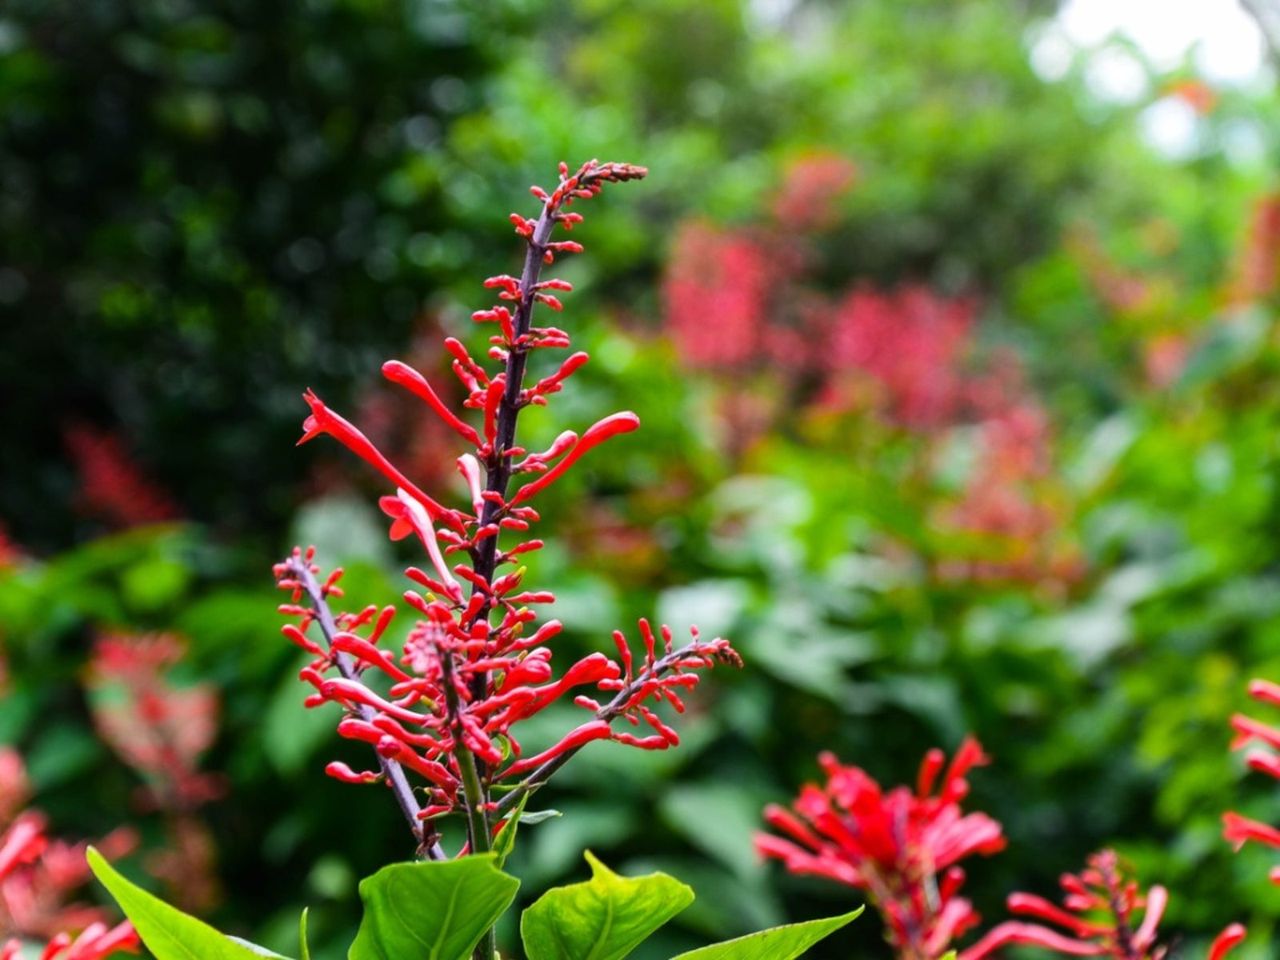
(112, 486)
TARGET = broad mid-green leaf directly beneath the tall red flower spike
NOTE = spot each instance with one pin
(436, 911)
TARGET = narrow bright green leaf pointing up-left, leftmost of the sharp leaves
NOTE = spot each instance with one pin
(168, 932)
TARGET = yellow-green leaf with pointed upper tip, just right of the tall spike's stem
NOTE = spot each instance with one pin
(605, 918)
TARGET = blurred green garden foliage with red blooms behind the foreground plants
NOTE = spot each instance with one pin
(954, 340)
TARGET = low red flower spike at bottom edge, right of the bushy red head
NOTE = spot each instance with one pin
(1099, 918)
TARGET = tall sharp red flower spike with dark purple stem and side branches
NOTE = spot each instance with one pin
(477, 662)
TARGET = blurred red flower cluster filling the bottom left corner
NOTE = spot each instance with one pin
(39, 872)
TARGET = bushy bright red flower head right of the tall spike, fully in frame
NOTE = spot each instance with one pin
(902, 847)
